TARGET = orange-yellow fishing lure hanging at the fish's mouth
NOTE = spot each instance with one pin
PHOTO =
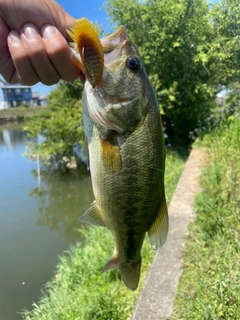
(86, 38)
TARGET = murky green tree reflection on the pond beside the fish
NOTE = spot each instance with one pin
(62, 199)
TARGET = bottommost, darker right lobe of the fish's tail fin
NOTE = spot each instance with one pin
(130, 274)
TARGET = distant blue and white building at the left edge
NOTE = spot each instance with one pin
(13, 95)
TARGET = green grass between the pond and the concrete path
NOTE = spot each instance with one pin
(79, 291)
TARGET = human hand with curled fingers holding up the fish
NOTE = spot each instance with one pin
(33, 42)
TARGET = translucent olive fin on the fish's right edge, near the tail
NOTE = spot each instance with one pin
(159, 229)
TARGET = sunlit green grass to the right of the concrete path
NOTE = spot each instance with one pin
(209, 287)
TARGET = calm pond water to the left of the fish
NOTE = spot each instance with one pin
(34, 227)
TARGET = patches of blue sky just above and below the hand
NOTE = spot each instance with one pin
(91, 9)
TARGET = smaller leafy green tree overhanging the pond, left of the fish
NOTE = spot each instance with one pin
(62, 129)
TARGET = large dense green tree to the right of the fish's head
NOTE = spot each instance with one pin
(183, 49)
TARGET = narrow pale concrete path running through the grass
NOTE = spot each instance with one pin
(156, 298)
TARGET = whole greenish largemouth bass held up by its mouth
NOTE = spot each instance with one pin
(125, 150)
